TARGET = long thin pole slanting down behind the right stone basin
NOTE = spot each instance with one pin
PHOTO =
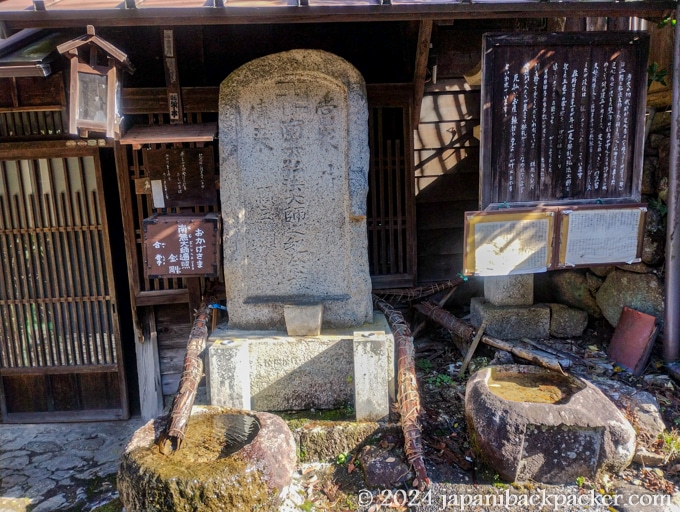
(467, 332)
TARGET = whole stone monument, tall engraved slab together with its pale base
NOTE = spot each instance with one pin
(294, 156)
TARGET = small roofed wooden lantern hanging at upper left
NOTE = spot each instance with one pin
(94, 90)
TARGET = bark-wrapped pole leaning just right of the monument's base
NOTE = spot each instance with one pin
(408, 396)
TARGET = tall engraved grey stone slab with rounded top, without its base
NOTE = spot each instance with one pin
(293, 172)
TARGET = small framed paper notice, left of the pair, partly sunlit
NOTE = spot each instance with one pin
(507, 242)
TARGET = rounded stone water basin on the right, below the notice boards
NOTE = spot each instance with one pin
(529, 423)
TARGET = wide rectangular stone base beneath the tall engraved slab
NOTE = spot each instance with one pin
(298, 372)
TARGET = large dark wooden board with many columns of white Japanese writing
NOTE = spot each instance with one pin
(562, 117)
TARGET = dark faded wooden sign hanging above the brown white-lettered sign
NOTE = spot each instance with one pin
(181, 177)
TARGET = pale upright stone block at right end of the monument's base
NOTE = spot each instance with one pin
(371, 400)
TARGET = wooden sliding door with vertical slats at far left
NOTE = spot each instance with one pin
(60, 348)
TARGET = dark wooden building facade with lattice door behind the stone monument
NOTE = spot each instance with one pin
(83, 331)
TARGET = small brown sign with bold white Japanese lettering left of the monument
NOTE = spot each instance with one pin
(182, 245)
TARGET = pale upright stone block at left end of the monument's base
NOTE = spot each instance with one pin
(227, 376)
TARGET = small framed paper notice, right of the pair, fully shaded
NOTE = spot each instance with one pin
(597, 235)
